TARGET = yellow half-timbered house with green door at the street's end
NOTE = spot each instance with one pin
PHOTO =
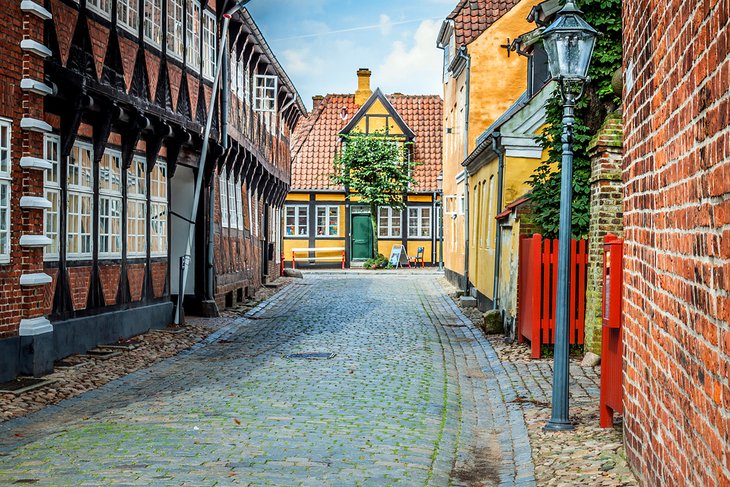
(322, 215)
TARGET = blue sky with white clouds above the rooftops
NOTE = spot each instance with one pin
(322, 43)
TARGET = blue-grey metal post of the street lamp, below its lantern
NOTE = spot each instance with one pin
(560, 418)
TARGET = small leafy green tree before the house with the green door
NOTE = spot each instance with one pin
(376, 168)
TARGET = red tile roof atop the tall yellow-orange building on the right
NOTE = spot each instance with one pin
(472, 17)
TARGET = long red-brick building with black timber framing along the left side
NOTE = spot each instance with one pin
(101, 123)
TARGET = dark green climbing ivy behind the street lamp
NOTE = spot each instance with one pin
(598, 100)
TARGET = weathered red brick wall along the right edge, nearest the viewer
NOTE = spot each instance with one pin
(677, 229)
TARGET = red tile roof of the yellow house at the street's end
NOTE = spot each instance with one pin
(316, 139)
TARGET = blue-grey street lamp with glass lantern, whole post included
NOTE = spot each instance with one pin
(569, 43)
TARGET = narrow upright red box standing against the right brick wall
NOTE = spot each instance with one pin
(611, 341)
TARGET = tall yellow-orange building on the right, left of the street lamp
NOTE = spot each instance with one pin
(485, 82)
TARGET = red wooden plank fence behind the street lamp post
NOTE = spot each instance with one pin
(537, 287)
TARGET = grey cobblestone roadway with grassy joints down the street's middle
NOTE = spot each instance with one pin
(413, 396)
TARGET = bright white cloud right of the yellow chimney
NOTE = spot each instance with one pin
(413, 66)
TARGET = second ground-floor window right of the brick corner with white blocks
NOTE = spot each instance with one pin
(80, 182)
